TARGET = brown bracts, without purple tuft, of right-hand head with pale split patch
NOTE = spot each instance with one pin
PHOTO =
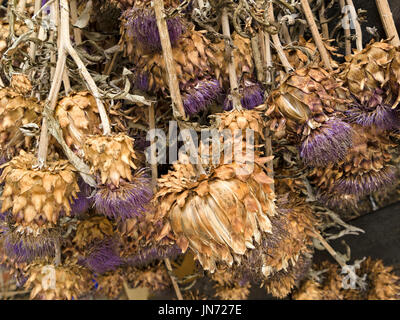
(308, 95)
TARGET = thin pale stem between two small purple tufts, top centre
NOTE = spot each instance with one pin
(233, 81)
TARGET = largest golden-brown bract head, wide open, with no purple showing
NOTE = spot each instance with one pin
(218, 215)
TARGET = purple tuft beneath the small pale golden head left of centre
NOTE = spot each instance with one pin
(126, 201)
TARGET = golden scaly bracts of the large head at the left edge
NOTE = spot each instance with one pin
(36, 197)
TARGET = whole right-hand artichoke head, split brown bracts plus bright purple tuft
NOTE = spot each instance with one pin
(307, 110)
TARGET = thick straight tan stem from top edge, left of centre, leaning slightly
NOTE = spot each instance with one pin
(177, 104)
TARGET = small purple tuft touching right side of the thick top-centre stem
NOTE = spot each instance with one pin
(201, 95)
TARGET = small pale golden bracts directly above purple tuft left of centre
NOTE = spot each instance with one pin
(111, 157)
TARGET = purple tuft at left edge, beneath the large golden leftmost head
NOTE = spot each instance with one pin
(27, 247)
